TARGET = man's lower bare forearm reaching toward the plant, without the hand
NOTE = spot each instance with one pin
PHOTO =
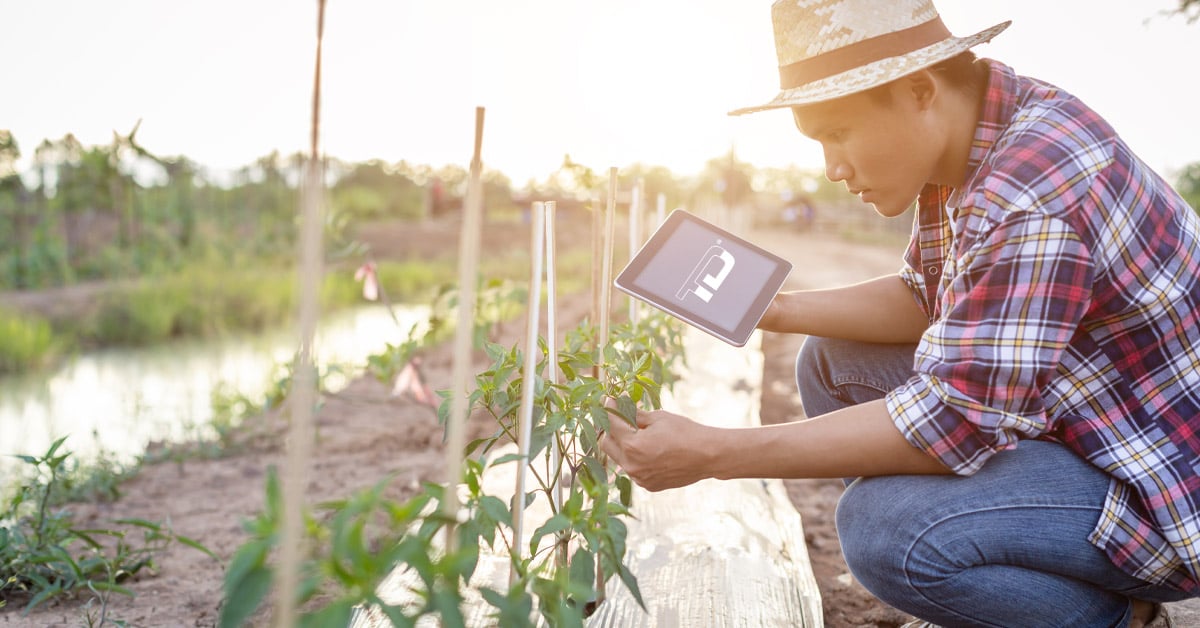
(855, 441)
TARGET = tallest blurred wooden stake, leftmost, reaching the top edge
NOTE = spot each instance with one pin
(304, 394)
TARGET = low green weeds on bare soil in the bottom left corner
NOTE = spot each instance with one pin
(45, 554)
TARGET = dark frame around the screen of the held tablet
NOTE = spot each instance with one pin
(740, 334)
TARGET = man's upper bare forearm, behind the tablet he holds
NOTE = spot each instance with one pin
(880, 310)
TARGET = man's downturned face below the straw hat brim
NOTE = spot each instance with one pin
(883, 149)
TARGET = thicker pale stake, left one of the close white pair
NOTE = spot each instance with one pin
(530, 373)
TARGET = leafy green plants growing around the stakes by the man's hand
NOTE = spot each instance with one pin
(356, 543)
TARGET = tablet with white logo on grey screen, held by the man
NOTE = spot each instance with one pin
(706, 277)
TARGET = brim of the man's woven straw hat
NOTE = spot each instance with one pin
(877, 74)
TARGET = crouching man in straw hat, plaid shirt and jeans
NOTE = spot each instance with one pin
(1022, 403)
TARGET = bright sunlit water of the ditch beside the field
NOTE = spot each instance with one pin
(116, 402)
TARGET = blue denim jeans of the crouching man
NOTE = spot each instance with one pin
(1004, 548)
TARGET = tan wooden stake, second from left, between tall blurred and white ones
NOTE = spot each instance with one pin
(469, 267)
